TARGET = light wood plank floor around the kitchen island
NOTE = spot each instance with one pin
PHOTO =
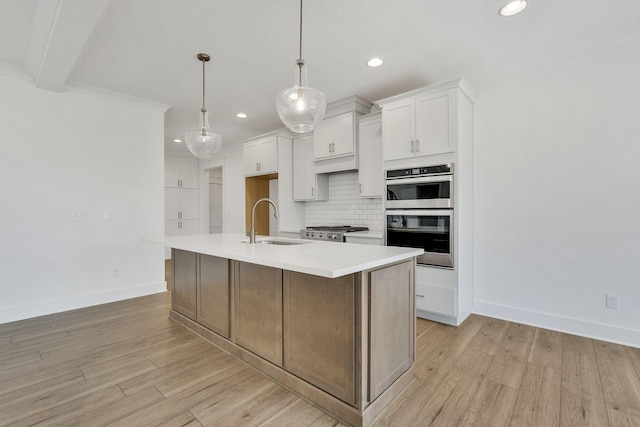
(127, 364)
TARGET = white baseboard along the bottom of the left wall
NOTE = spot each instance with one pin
(12, 314)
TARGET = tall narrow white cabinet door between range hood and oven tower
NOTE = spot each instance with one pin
(370, 174)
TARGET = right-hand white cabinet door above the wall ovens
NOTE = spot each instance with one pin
(435, 123)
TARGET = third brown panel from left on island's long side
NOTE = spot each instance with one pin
(258, 295)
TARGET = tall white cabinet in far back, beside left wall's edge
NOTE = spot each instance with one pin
(180, 196)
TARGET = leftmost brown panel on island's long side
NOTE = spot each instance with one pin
(184, 289)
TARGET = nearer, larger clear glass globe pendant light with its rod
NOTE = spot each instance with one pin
(300, 107)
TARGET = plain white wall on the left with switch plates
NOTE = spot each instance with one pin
(66, 152)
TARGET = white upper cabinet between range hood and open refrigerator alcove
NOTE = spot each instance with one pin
(306, 184)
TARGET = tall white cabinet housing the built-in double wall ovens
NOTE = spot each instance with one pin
(431, 126)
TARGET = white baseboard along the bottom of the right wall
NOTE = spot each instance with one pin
(584, 328)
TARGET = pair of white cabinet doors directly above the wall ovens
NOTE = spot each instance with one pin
(419, 126)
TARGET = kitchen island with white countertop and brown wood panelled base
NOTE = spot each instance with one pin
(332, 322)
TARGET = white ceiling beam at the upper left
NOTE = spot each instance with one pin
(61, 30)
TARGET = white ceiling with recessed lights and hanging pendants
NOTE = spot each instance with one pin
(147, 48)
